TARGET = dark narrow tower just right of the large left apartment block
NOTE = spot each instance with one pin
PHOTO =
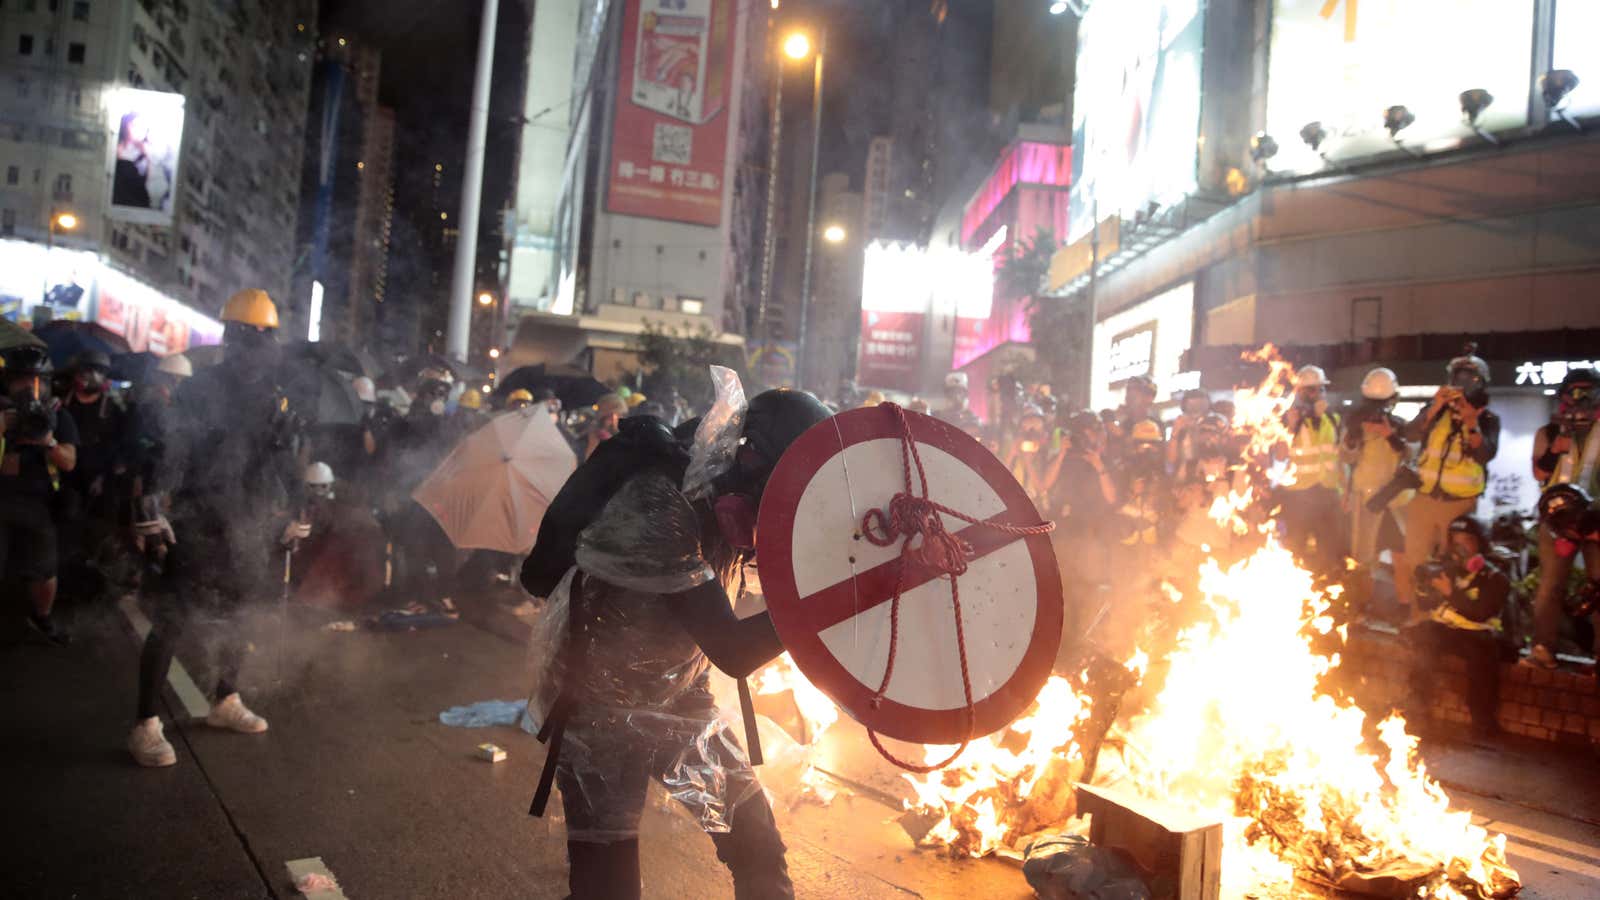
(346, 195)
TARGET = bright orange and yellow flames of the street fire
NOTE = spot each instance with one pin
(1223, 718)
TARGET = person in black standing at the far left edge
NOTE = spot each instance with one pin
(39, 443)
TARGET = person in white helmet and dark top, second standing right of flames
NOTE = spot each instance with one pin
(1375, 449)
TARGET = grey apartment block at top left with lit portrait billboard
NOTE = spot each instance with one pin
(222, 211)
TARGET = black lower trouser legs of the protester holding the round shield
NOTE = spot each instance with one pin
(753, 851)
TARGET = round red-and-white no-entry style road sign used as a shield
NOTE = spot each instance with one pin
(830, 589)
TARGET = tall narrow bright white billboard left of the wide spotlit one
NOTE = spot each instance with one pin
(1135, 108)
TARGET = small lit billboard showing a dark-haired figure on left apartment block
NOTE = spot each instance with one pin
(146, 137)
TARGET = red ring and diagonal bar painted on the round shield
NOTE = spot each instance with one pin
(801, 622)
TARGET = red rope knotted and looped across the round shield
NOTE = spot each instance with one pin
(910, 516)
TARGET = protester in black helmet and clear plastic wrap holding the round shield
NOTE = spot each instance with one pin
(639, 614)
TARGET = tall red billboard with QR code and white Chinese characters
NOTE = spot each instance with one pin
(671, 132)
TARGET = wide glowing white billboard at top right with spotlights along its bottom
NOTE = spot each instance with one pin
(1343, 63)
